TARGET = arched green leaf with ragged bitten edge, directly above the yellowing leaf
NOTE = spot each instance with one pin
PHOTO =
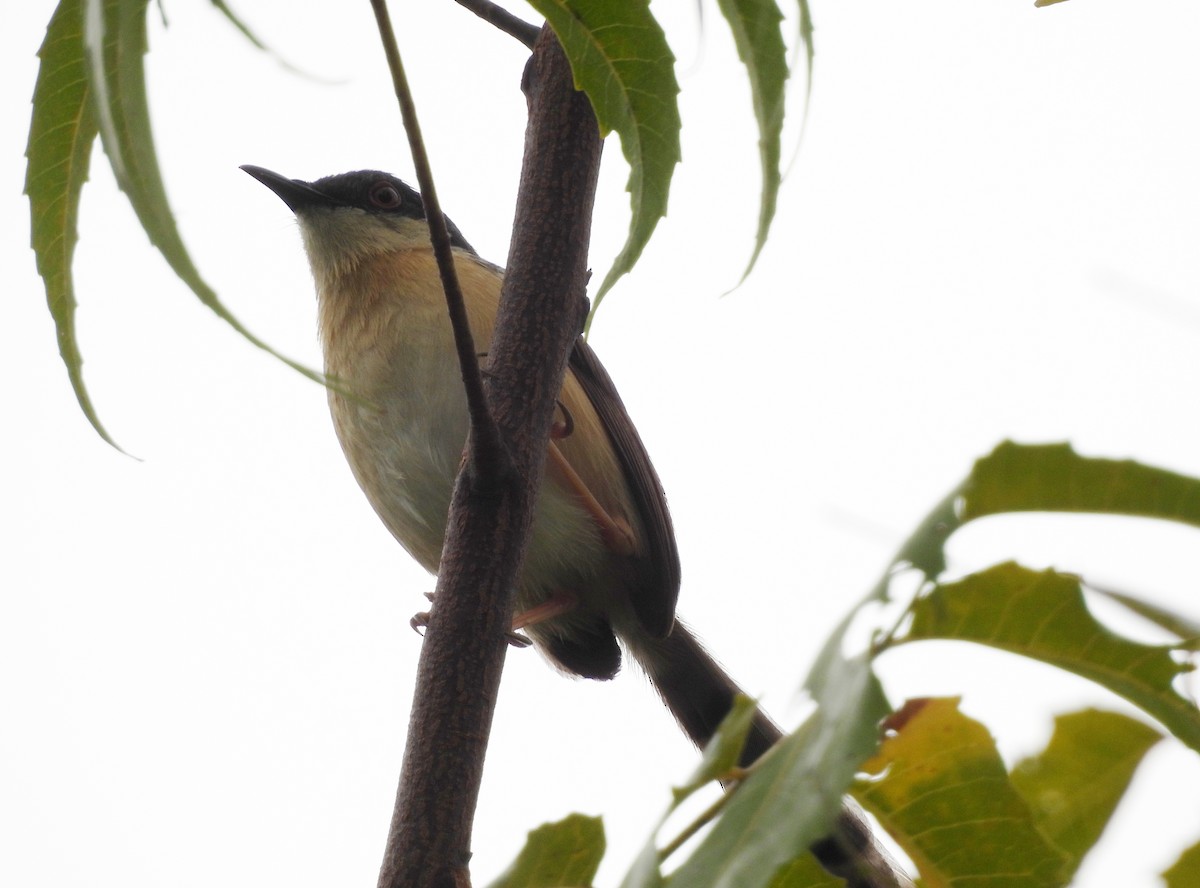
(1042, 615)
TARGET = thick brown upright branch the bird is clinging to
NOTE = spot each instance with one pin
(542, 313)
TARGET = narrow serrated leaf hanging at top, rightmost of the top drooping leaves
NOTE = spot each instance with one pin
(760, 44)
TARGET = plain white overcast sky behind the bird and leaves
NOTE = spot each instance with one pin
(206, 665)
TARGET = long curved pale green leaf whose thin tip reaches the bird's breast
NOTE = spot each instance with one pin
(115, 43)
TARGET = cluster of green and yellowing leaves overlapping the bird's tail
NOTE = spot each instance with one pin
(934, 781)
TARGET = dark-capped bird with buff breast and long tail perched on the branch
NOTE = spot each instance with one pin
(602, 571)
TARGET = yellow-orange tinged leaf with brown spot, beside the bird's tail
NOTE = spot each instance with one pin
(940, 789)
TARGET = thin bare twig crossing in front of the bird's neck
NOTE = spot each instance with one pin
(487, 439)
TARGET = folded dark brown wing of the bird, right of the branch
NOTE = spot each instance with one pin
(656, 602)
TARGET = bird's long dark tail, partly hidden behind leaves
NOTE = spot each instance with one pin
(700, 695)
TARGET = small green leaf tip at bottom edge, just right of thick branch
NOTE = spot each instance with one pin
(563, 855)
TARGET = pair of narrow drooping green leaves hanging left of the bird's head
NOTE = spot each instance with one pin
(92, 82)
